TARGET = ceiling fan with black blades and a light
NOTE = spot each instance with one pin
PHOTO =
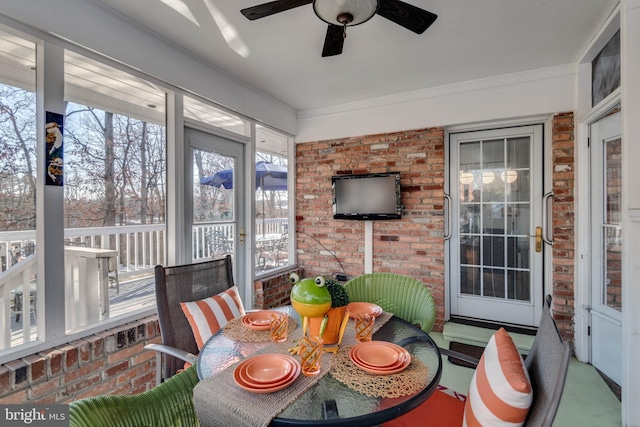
(340, 14)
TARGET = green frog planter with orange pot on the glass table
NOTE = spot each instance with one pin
(309, 299)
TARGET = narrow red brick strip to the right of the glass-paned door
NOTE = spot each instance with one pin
(563, 220)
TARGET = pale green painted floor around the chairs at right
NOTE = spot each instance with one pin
(587, 401)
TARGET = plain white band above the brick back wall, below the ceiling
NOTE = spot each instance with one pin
(525, 94)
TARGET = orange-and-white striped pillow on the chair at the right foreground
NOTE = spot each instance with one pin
(500, 393)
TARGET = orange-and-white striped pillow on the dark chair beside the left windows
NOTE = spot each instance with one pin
(209, 315)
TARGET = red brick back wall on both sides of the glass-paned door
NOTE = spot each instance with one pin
(414, 245)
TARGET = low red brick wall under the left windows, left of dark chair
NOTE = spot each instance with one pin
(111, 362)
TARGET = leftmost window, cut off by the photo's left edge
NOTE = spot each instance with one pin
(17, 190)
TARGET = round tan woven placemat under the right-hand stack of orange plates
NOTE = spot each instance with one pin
(410, 381)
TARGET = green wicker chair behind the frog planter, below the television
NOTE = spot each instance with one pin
(404, 296)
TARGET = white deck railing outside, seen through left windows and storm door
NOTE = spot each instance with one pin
(139, 248)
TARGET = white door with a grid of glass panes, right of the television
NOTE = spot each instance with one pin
(496, 244)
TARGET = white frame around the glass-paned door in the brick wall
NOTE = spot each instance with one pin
(546, 120)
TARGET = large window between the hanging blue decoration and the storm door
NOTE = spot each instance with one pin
(114, 190)
